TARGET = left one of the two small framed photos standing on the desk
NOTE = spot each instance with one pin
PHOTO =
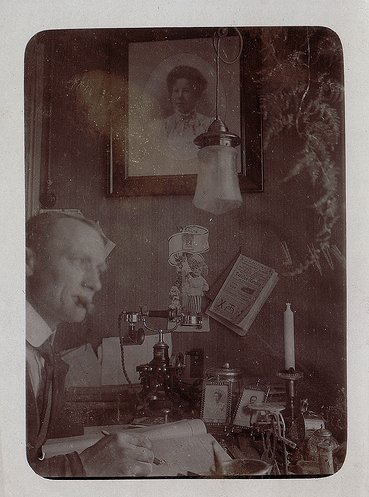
(216, 403)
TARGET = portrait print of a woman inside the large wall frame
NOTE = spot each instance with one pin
(172, 101)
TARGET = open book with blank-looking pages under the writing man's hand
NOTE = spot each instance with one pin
(183, 446)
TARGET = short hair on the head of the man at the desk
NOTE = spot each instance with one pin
(39, 228)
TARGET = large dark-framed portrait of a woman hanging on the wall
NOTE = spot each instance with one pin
(170, 99)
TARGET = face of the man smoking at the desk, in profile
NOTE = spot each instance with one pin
(64, 277)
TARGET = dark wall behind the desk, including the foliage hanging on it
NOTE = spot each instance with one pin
(300, 80)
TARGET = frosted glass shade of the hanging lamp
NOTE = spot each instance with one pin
(217, 187)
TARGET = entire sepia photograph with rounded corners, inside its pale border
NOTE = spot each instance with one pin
(119, 339)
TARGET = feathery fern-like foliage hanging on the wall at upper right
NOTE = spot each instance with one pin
(302, 100)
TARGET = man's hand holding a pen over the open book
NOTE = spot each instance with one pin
(120, 454)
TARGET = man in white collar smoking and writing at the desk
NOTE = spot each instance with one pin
(65, 259)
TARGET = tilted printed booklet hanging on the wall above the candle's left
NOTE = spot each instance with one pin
(239, 294)
